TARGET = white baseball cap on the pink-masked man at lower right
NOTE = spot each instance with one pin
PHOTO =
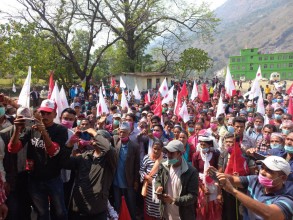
(276, 163)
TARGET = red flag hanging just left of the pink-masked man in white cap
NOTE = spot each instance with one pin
(237, 163)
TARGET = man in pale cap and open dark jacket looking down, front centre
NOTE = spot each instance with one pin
(176, 185)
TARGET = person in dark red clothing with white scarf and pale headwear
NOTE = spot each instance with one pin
(210, 199)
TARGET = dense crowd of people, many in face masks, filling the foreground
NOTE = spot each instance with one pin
(134, 164)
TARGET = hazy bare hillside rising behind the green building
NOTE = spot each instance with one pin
(264, 24)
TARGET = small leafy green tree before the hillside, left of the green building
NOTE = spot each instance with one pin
(191, 60)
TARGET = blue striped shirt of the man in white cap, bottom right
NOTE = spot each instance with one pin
(255, 190)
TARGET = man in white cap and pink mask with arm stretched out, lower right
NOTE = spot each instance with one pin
(267, 197)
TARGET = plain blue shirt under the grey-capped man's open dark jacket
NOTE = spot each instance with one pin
(120, 178)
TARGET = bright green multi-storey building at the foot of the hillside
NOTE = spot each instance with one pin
(247, 64)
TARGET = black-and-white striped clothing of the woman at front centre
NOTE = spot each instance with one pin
(151, 208)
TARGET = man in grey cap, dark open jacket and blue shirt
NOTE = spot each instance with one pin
(126, 178)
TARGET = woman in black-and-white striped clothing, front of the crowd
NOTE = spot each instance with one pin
(148, 171)
